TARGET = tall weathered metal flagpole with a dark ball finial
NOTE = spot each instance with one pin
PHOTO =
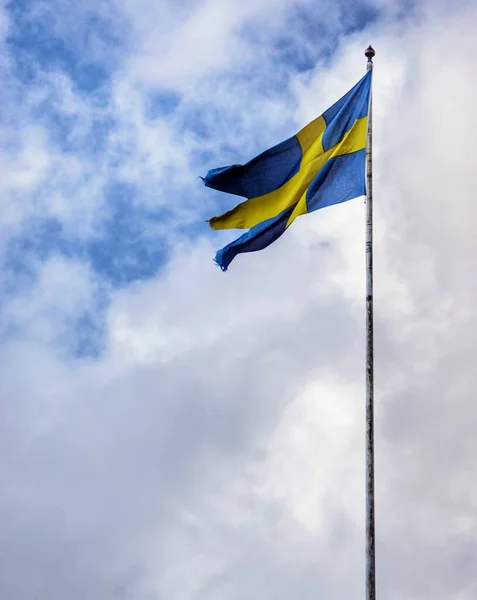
(370, 533)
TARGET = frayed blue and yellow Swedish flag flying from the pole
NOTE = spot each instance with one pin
(323, 164)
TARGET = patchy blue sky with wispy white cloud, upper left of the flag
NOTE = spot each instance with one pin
(66, 61)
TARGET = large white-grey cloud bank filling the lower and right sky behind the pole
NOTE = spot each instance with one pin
(216, 448)
